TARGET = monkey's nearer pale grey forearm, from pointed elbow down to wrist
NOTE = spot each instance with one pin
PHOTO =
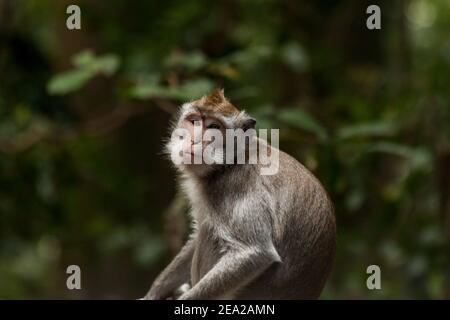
(234, 270)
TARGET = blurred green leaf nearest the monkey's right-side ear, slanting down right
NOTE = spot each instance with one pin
(302, 120)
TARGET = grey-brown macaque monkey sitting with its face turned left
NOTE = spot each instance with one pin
(254, 236)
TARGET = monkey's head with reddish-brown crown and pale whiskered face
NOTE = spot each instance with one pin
(199, 138)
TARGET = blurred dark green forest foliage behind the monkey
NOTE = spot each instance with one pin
(83, 116)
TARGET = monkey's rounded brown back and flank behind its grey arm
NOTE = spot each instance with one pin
(304, 235)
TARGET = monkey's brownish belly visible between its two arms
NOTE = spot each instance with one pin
(210, 248)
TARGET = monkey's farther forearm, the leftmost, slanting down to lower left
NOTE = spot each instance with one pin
(175, 274)
